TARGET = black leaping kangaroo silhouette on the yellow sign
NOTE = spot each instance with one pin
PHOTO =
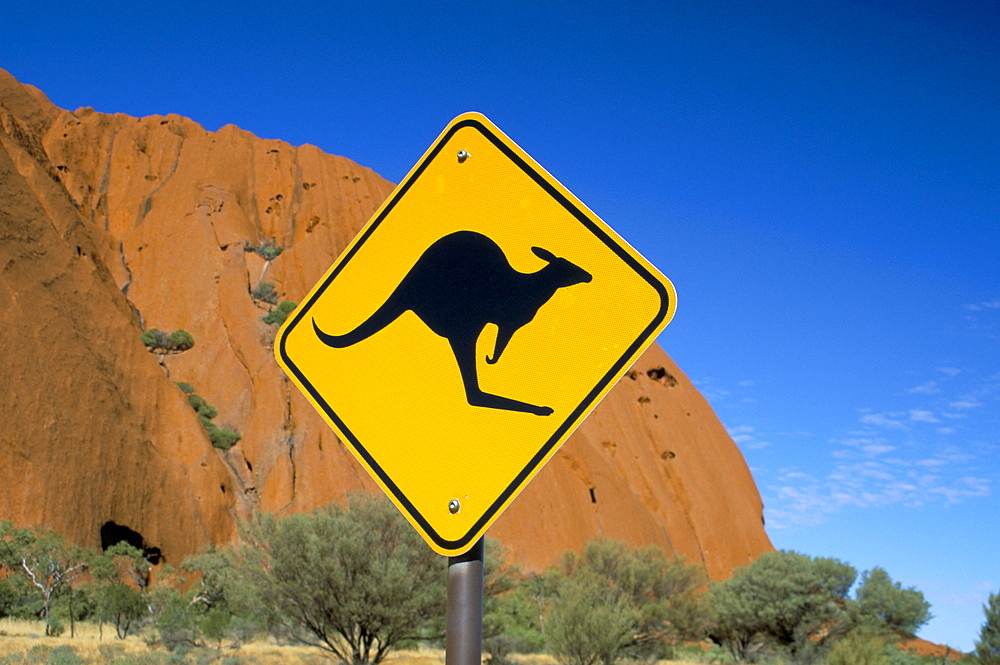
(460, 283)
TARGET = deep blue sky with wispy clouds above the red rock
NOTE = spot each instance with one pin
(819, 180)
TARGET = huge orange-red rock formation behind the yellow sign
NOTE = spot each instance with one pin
(111, 224)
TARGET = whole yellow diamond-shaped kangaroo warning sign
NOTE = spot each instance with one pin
(468, 329)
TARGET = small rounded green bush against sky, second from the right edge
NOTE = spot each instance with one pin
(887, 605)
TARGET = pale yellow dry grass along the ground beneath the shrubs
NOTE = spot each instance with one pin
(18, 638)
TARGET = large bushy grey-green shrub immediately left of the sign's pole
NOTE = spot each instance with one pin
(353, 581)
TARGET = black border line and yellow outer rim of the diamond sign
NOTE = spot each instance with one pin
(580, 213)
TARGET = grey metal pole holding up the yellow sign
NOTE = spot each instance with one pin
(464, 630)
